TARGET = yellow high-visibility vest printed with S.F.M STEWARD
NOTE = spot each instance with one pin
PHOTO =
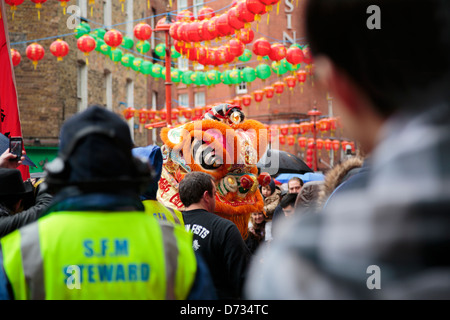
(99, 255)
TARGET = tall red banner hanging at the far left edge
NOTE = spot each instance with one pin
(10, 120)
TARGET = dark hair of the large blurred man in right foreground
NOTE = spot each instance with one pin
(401, 65)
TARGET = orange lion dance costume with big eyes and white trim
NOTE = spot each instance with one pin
(226, 146)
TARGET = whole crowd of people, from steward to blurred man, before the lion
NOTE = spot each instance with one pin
(92, 227)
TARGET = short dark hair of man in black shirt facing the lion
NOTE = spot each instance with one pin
(193, 186)
